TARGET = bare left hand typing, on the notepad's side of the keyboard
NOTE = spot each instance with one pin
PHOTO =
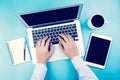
(42, 50)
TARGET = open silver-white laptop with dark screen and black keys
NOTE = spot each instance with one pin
(51, 23)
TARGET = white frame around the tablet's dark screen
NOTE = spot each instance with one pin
(95, 64)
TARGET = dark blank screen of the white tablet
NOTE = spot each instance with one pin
(98, 50)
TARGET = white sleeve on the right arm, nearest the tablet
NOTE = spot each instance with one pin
(83, 70)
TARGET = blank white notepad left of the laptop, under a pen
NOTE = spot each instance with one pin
(16, 48)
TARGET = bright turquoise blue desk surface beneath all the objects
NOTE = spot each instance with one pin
(11, 28)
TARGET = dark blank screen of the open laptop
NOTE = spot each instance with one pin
(61, 14)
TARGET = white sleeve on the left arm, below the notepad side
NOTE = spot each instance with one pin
(39, 72)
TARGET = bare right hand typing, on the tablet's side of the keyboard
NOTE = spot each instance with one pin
(68, 46)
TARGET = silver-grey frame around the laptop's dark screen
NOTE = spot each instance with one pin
(78, 14)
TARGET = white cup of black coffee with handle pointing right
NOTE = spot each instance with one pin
(97, 21)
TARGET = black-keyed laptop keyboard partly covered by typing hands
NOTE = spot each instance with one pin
(53, 33)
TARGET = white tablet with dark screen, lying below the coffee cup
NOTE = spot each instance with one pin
(97, 51)
